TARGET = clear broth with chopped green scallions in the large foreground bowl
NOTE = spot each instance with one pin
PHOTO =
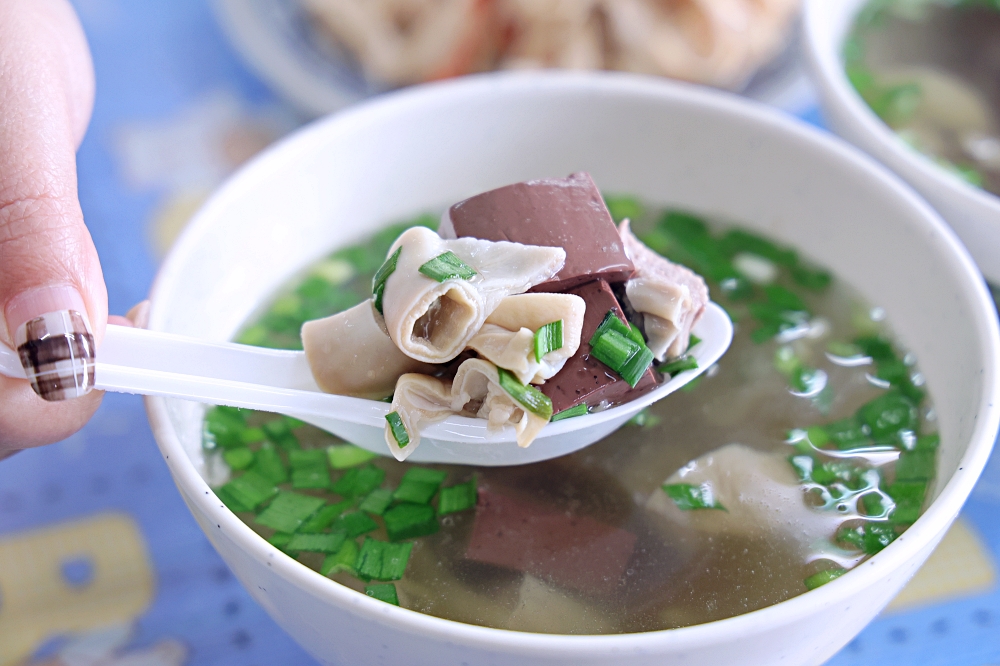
(807, 449)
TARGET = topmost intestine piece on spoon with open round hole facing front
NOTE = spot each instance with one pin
(433, 321)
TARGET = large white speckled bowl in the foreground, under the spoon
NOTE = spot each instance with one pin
(337, 180)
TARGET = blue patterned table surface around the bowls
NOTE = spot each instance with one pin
(176, 111)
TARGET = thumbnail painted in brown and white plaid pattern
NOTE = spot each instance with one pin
(57, 352)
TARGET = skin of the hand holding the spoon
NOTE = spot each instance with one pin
(46, 98)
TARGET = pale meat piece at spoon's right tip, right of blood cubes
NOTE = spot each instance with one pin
(670, 297)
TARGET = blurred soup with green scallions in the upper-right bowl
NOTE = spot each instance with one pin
(931, 70)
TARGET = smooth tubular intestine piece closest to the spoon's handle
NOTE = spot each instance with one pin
(350, 354)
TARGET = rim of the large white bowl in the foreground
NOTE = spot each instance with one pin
(926, 530)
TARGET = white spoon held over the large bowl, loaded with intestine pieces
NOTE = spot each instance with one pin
(134, 360)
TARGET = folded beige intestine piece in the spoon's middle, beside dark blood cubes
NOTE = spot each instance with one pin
(507, 337)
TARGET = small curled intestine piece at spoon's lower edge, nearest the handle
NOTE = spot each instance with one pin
(419, 400)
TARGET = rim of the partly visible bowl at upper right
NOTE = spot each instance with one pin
(828, 67)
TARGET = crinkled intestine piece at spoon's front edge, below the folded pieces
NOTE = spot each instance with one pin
(476, 391)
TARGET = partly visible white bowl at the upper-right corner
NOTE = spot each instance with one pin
(973, 213)
